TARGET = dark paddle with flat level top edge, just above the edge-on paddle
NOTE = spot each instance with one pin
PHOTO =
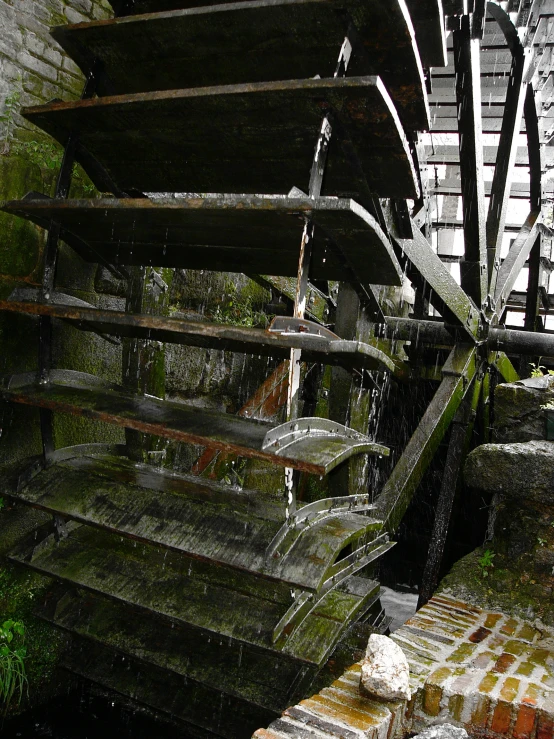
(233, 233)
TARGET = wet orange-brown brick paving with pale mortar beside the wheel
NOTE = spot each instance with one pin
(490, 673)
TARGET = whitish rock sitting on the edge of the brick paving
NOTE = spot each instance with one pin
(385, 671)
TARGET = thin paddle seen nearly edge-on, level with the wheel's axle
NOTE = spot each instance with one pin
(223, 337)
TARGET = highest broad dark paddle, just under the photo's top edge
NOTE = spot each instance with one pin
(174, 46)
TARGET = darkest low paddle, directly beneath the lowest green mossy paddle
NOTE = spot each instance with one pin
(260, 677)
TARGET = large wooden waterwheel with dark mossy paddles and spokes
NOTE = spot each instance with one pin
(276, 138)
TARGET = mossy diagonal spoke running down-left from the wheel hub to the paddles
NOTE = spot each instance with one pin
(397, 492)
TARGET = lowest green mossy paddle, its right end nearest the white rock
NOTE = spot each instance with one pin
(180, 591)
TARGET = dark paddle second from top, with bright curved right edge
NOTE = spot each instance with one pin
(255, 137)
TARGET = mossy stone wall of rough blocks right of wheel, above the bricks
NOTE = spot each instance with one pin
(514, 569)
